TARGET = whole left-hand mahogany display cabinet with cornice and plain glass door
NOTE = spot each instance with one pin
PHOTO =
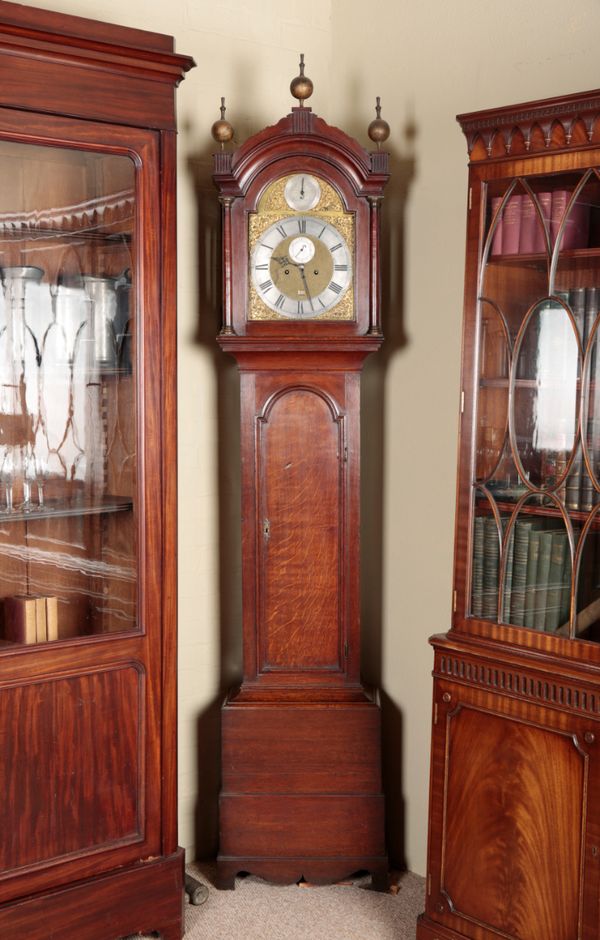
(88, 843)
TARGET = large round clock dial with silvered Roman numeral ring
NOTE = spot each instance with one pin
(301, 267)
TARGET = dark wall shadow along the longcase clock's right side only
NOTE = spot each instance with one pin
(373, 448)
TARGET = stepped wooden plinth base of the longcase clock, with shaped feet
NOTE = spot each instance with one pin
(301, 793)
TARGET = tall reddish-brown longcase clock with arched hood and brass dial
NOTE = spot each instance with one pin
(301, 753)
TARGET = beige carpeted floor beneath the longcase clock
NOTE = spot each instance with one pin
(259, 911)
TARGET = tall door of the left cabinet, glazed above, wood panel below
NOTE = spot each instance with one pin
(77, 310)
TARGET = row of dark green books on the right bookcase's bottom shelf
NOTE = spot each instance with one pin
(537, 583)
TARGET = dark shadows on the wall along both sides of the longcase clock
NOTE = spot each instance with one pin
(402, 168)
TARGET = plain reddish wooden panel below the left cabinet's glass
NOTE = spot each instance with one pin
(71, 766)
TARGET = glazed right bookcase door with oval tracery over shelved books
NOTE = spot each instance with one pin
(534, 546)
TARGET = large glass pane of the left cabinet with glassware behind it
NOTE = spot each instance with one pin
(68, 553)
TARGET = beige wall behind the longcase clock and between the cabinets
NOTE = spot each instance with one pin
(428, 61)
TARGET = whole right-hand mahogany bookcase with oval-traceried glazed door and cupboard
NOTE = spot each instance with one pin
(515, 770)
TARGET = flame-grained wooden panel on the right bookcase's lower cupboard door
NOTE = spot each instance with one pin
(514, 806)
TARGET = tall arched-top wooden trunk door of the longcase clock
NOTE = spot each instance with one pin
(300, 522)
